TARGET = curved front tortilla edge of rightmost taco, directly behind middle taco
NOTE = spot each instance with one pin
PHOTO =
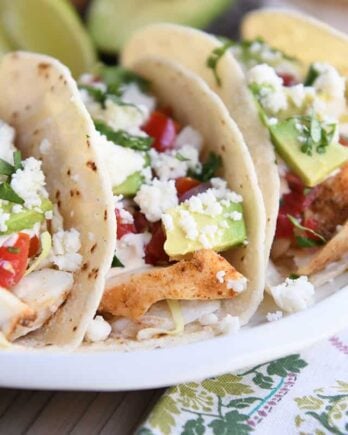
(191, 48)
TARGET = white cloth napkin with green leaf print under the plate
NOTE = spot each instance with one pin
(304, 393)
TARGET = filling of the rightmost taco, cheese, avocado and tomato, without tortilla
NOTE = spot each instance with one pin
(306, 114)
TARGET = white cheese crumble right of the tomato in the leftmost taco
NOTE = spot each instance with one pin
(66, 245)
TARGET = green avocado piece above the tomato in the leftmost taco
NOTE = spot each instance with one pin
(26, 219)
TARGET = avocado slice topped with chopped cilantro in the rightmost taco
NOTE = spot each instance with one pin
(311, 169)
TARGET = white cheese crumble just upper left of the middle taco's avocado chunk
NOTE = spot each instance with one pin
(156, 198)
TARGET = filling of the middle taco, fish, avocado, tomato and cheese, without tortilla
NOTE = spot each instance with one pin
(174, 216)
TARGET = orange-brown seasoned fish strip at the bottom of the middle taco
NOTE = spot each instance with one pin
(195, 278)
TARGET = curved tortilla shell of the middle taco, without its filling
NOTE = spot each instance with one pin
(194, 104)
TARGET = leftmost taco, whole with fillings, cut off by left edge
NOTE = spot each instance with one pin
(56, 223)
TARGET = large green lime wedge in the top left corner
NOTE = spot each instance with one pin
(51, 27)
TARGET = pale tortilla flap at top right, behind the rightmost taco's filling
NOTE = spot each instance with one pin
(299, 35)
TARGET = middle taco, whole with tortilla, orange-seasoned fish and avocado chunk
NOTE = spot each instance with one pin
(190, 216)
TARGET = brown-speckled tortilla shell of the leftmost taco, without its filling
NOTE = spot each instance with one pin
(39, 98)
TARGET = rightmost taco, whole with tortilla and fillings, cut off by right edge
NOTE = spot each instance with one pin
(287, 76)
